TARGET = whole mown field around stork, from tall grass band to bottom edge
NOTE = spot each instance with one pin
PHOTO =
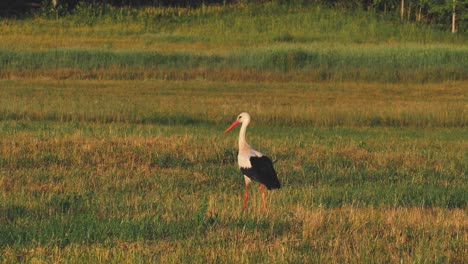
(82, 183)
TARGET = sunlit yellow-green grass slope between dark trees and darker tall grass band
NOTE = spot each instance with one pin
(219, 28)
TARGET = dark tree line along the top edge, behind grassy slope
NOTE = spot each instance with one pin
(447, 14)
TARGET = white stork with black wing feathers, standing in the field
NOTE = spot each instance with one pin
(253, 164)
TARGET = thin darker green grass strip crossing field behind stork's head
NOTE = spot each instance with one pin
(190, 120)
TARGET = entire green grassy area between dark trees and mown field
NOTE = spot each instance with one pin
(233, 43)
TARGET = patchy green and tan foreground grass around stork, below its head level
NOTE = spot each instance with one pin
(106, 186)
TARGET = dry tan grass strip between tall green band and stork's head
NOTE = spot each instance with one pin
(279, 103)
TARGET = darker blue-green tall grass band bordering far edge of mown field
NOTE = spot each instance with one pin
(389, 64)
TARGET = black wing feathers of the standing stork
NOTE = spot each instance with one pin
(262, 170)
